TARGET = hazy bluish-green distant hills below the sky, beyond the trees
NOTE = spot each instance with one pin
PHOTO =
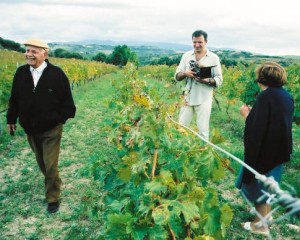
(149, 51)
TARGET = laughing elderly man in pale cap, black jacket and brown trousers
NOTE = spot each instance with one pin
(41, 99)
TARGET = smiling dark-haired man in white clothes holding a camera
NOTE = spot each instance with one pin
(198, 93)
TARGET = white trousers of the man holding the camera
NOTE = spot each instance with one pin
(202, 117)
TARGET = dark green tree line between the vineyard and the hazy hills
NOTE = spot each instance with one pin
(122, 54)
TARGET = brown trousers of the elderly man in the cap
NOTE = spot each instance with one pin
(46, 147)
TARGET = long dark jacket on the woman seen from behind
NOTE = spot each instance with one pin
(268, 131)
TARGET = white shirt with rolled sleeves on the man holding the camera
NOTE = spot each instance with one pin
(197, 93)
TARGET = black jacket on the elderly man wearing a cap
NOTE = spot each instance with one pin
(40, 108)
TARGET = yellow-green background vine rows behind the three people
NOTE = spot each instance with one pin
(238, 85)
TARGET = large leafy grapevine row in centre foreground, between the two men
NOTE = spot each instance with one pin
(159, 186)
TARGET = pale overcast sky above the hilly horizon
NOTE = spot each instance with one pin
(259, 26)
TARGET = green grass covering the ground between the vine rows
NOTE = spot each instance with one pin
(84, 148)
